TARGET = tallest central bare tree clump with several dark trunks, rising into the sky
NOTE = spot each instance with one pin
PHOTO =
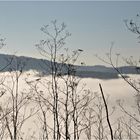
(63, 99)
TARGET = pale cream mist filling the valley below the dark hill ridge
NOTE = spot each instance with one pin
(33, 94)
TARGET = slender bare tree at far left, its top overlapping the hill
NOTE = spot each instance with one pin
(15, 108)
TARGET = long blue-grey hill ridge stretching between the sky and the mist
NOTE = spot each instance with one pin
(42, 66)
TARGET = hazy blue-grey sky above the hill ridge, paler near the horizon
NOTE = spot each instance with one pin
(94, 25)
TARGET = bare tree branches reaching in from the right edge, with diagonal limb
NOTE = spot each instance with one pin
(131, 127)
